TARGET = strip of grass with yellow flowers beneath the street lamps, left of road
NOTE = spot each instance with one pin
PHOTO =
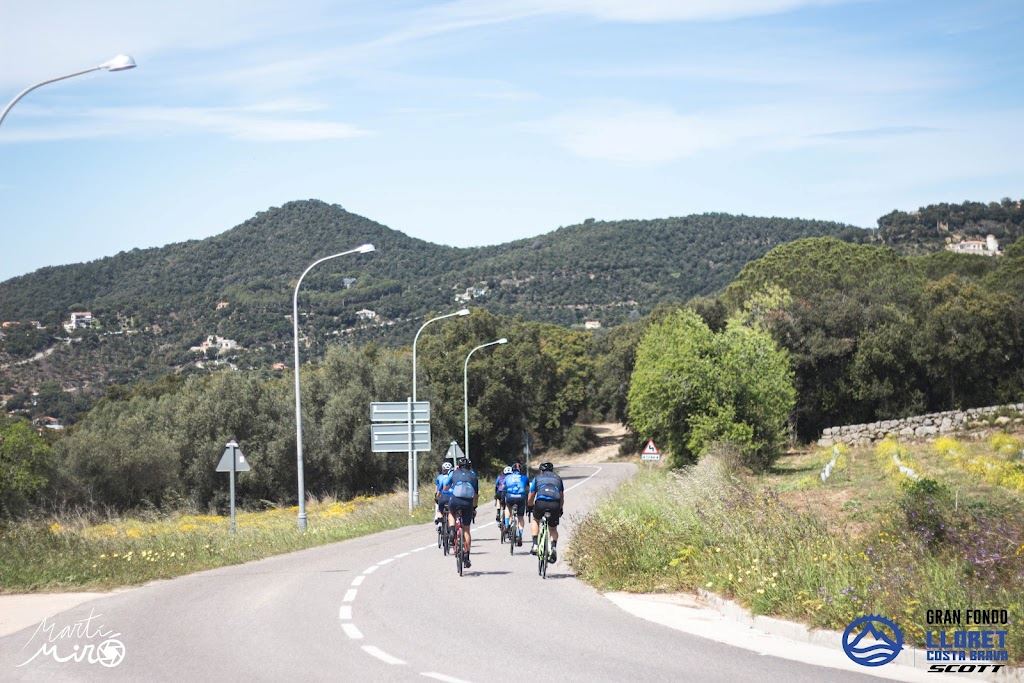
(65, 554)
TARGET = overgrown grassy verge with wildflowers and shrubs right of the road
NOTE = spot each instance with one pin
(869, 542)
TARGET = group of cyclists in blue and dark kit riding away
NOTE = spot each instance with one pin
(457, 492)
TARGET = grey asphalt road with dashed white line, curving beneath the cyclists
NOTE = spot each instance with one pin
(391, 608)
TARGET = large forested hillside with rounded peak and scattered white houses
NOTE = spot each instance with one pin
(152, 306)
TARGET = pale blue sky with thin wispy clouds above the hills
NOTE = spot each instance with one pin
(470, 123)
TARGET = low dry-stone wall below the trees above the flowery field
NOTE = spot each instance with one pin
(923, 426)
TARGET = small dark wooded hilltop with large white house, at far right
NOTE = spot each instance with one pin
(930, 228)
